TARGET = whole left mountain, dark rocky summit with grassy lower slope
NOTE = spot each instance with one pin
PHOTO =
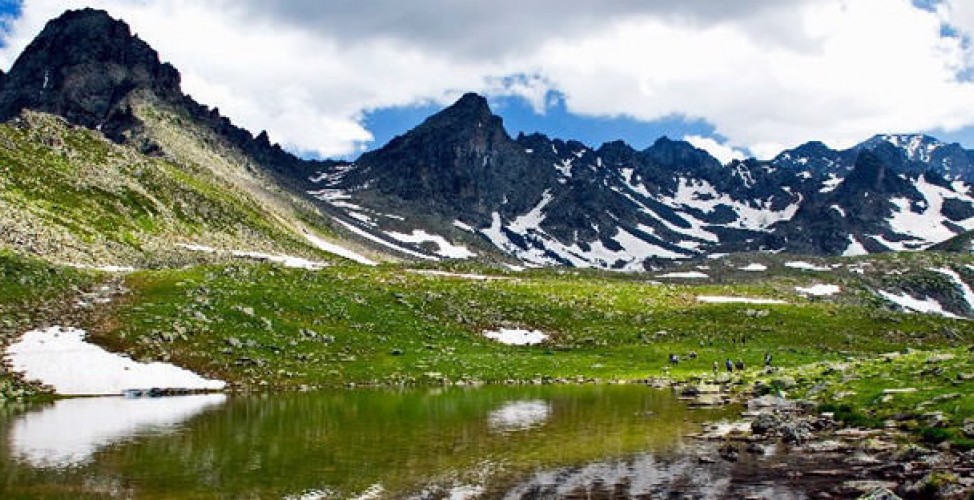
(173, 173)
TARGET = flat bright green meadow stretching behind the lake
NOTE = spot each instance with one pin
(389, 326)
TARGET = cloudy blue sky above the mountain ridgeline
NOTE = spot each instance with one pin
(742, 78)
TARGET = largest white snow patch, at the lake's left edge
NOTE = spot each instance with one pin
(61, 358)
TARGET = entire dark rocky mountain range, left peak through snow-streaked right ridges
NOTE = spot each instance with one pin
(459, 186)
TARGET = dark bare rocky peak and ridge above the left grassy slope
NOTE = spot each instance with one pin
(90, 69)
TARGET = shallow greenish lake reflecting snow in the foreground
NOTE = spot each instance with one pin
(534, 441)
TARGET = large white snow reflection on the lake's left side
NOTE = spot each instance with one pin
(72, 430)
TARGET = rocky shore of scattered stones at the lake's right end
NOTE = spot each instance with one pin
(781, 440)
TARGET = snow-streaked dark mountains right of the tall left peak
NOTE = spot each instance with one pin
(550, 202)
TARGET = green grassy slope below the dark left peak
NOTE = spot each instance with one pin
(70, 195)
